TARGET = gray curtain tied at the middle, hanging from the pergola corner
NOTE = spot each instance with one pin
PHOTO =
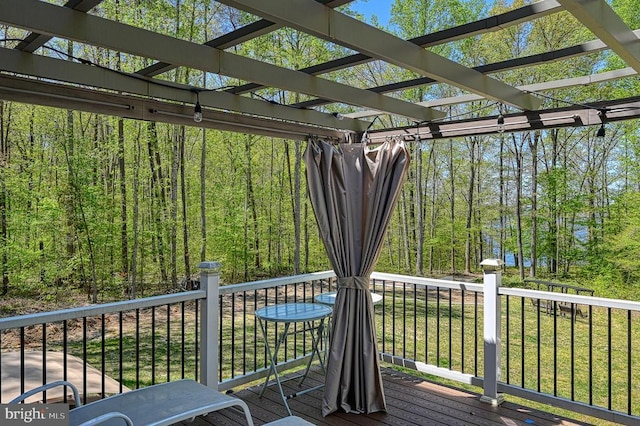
(353, 189)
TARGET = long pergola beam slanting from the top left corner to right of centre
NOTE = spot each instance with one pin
(55, 20)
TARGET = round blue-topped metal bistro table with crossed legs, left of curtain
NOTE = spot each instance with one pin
(313, 315)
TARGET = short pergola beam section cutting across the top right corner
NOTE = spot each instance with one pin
(605, 23)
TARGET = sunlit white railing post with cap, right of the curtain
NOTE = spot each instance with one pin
(492, 270)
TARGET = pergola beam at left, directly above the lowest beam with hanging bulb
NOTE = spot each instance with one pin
(86, 75)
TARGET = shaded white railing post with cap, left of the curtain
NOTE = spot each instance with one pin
(209, 282)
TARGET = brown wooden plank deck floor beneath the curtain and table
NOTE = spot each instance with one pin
(410, 401)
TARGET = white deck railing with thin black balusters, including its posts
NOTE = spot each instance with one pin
(477, 333)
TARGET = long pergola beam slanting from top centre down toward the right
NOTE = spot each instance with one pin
(313, 18)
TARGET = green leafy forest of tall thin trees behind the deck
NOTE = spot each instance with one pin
(114, 207)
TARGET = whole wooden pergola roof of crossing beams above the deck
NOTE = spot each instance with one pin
(31, 74)
